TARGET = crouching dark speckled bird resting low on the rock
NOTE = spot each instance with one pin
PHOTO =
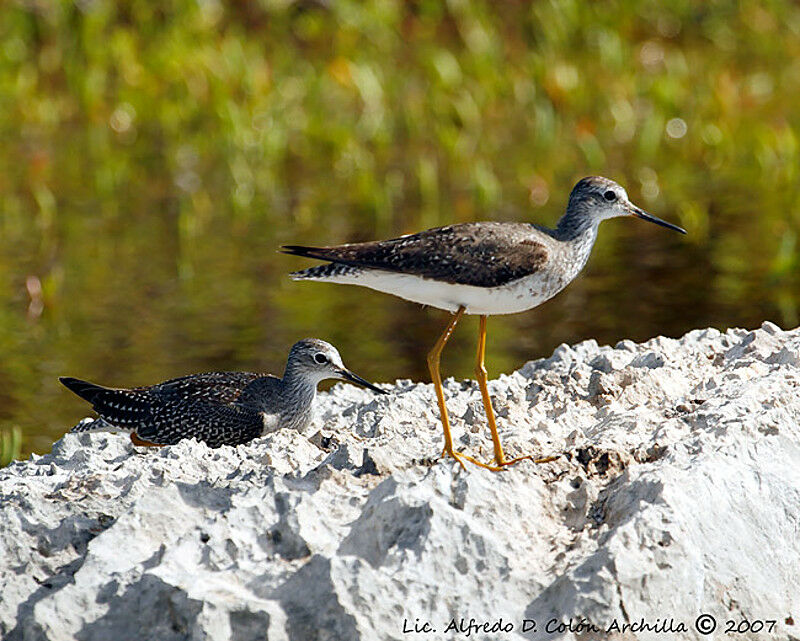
(220, 408)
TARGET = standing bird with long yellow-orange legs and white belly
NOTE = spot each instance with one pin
(479, 268)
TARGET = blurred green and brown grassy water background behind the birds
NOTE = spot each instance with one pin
(155, 154)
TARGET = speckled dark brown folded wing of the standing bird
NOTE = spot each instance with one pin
(486, 254)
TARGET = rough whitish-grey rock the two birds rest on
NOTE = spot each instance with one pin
(677, 493)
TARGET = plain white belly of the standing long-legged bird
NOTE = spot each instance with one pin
(517, 296)
